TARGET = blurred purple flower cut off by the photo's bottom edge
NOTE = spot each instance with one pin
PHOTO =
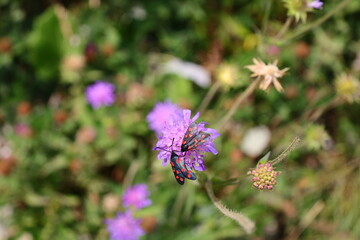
(124, 227)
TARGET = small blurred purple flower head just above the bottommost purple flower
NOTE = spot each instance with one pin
(136, 196)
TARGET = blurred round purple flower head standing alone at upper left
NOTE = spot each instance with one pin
(100, 94)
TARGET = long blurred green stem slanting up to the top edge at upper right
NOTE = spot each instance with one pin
(316, 23)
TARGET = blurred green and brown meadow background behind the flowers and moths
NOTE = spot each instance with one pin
(64, 165)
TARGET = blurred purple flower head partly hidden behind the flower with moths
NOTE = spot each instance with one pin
(160, 114)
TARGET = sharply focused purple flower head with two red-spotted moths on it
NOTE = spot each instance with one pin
(173, 133)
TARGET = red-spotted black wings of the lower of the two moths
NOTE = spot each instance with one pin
(180, 169)
